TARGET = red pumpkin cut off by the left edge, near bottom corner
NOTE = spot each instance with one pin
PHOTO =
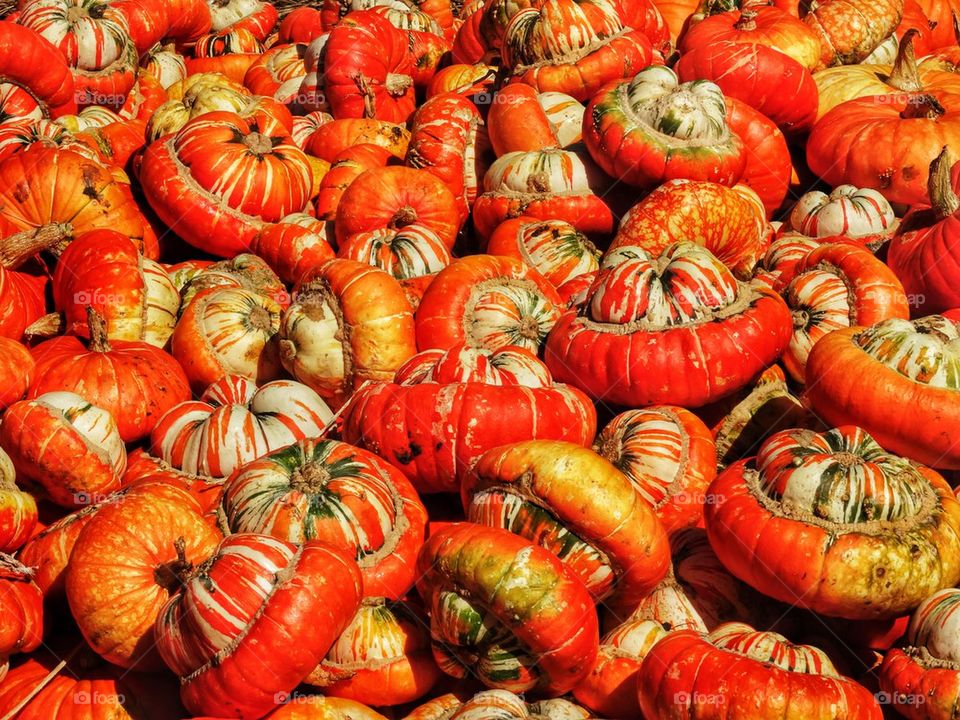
(21, 610)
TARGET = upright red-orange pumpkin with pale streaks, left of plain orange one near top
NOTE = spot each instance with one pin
(447, 139)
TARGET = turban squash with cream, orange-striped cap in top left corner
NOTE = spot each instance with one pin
(94, 37)
